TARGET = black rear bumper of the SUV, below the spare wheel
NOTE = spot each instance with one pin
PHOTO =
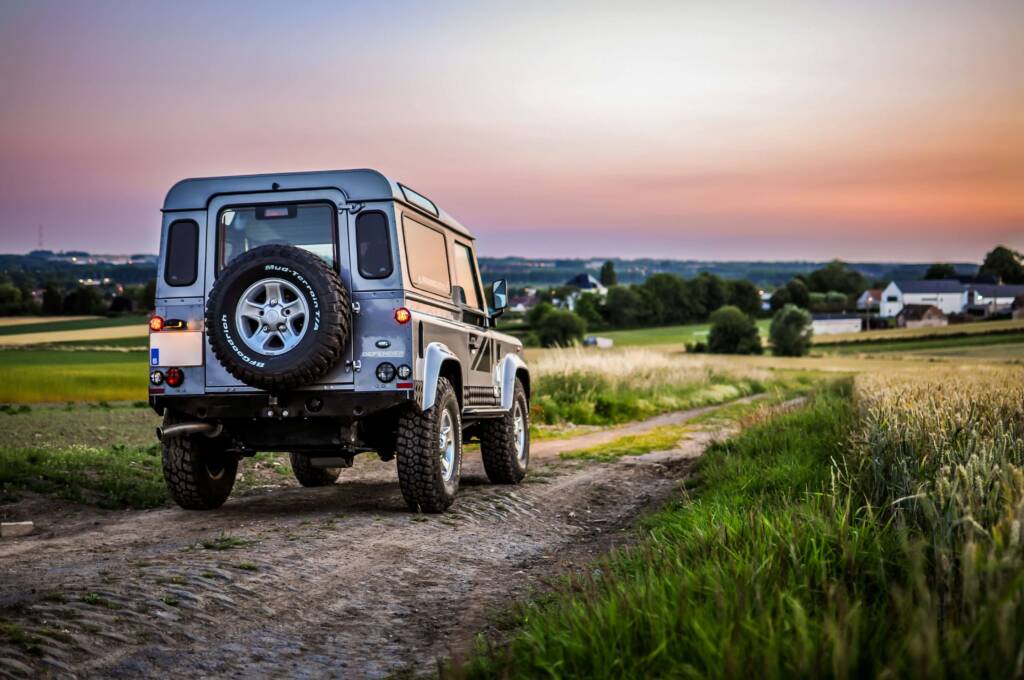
(291, 406)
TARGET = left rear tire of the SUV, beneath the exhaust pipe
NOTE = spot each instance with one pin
(192, 464)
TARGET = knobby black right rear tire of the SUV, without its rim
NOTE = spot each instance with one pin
(419, 464)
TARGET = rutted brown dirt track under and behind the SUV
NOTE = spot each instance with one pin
(334, 582)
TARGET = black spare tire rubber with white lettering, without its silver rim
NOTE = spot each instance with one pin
(329, 327)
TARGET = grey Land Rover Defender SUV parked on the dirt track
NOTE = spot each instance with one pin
(326, 315)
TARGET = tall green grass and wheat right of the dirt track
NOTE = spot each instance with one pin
(875, 533)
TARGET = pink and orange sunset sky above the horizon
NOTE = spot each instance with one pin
(863, 131)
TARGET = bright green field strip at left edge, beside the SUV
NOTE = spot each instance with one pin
(40, 376)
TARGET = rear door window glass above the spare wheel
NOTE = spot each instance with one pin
(310, 226)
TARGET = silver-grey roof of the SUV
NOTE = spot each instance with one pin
(358, 186)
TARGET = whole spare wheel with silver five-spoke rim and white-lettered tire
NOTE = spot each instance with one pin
(278, 318)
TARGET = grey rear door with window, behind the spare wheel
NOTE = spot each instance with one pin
(318, 222)
